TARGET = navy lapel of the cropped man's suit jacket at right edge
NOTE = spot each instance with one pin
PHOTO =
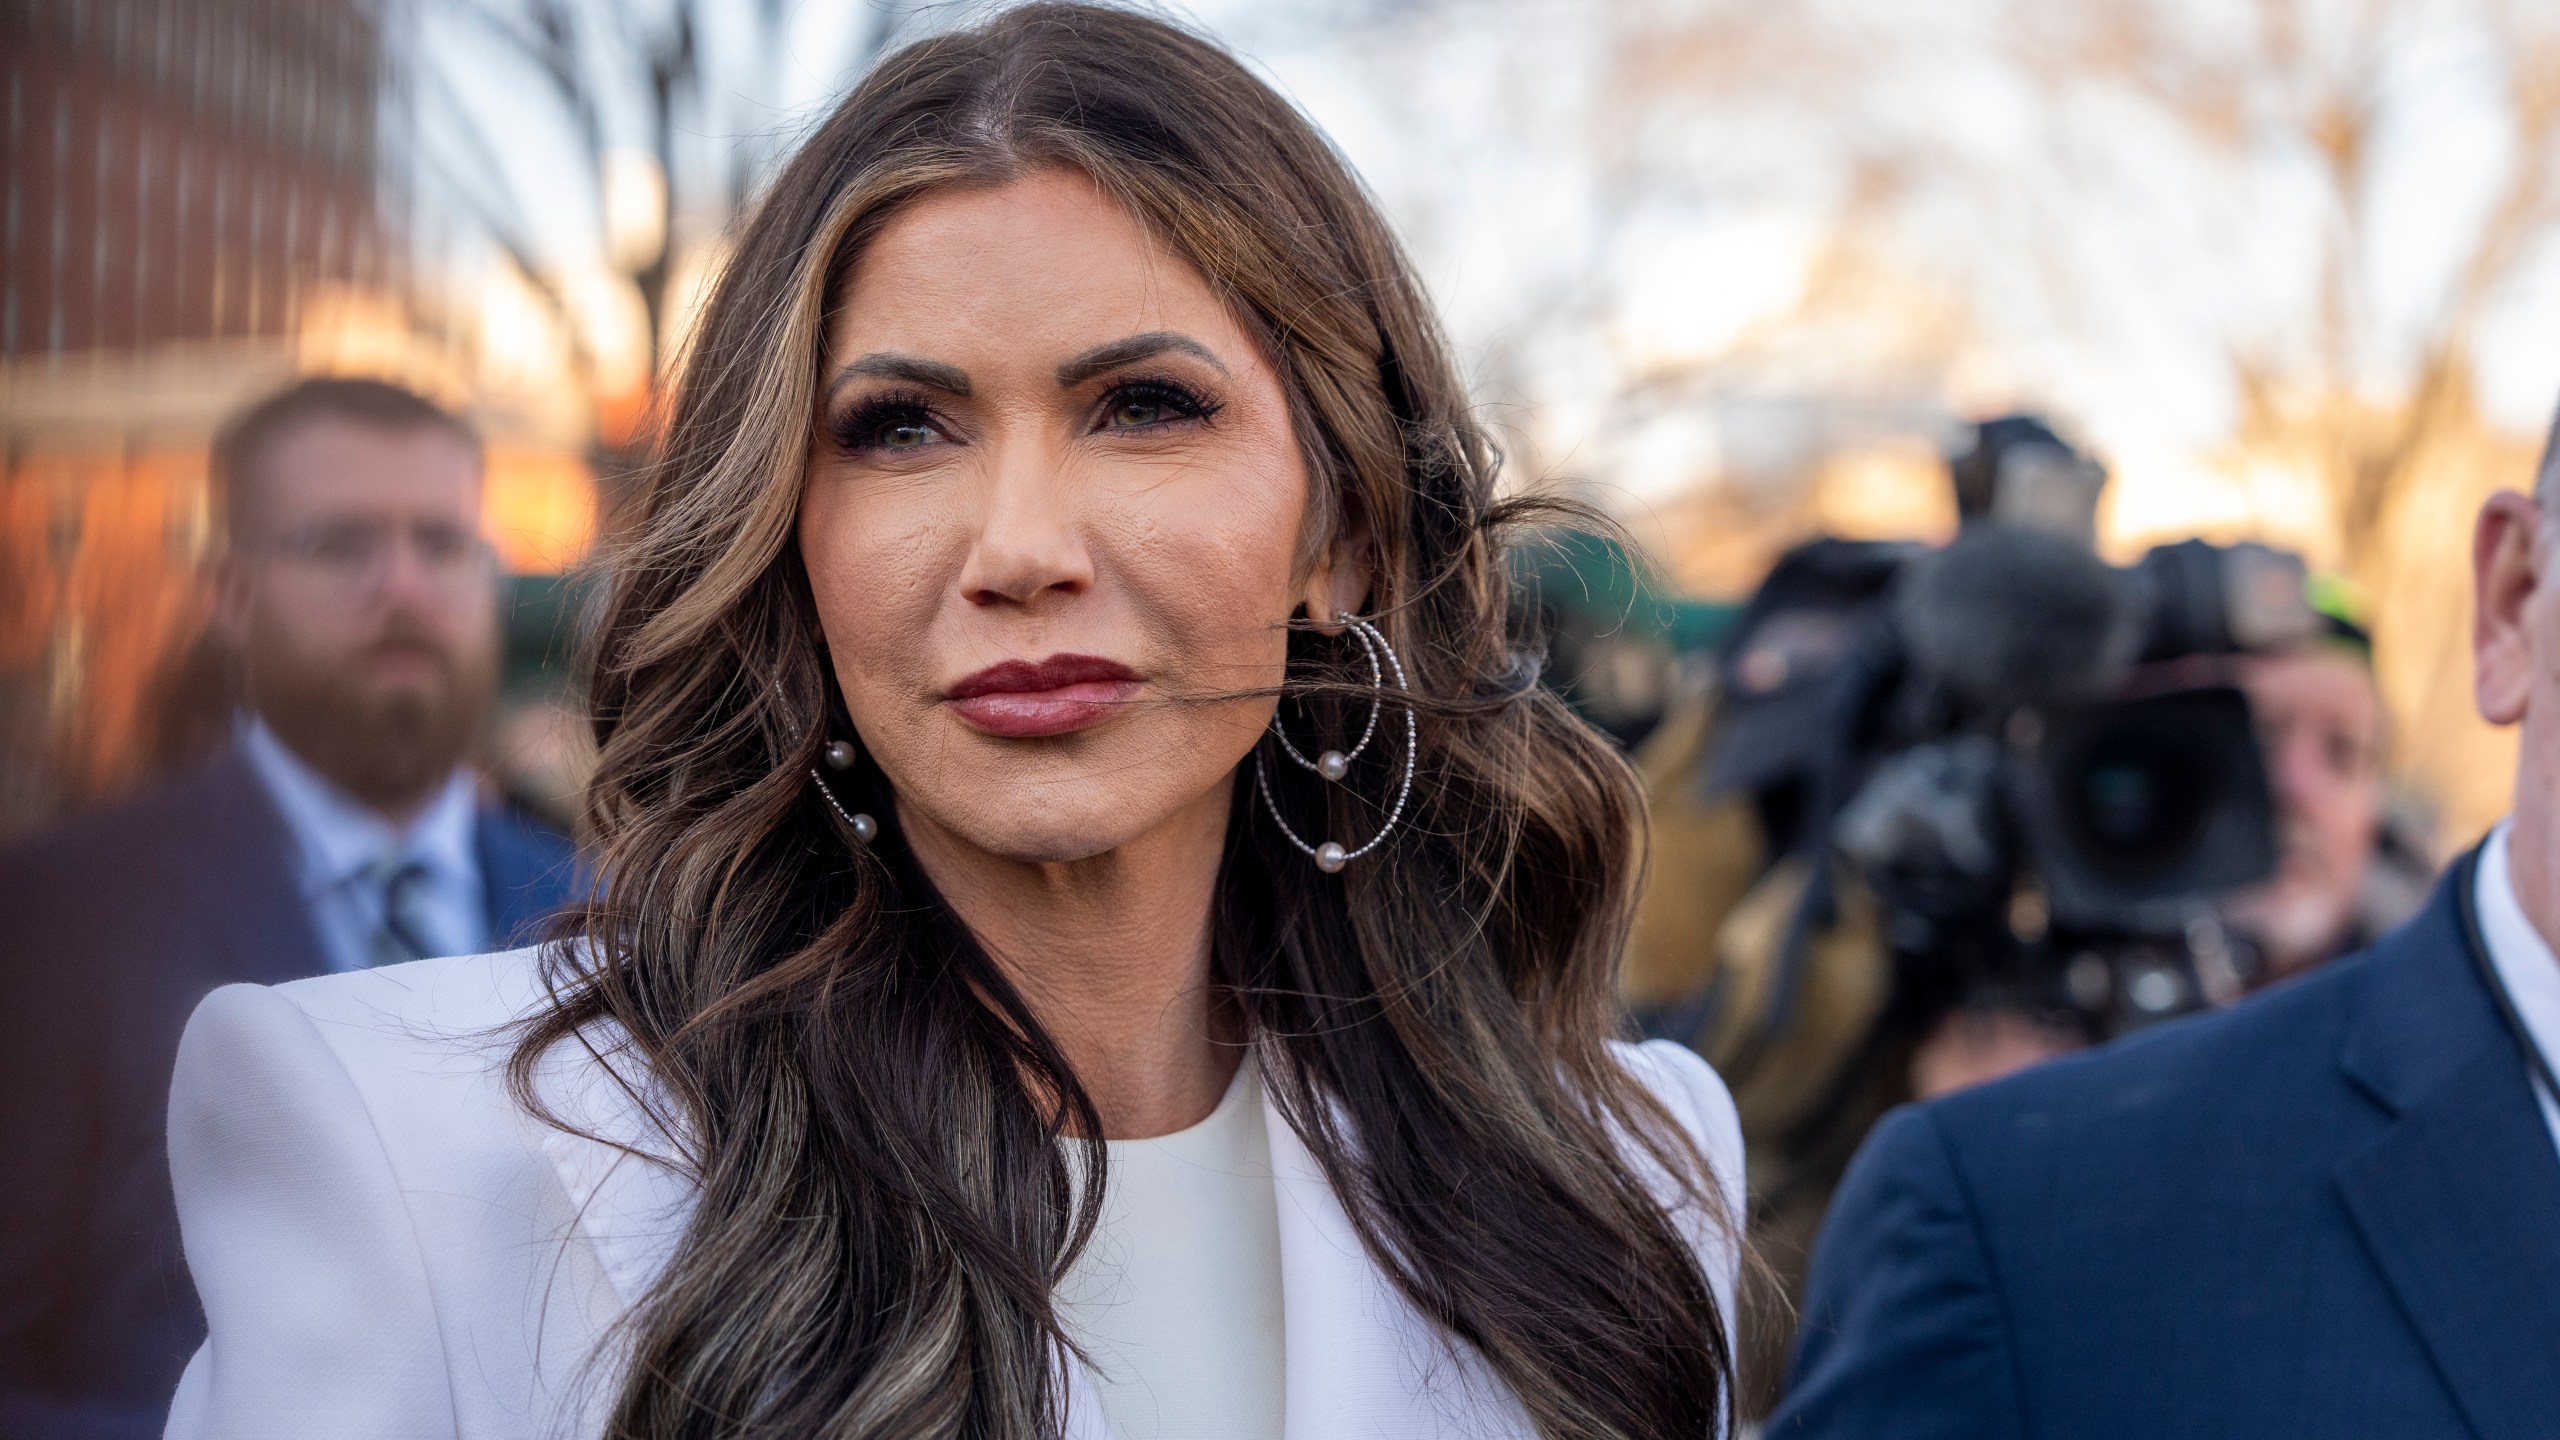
(2461, 1200)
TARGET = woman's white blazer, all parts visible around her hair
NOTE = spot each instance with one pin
(388, 1247)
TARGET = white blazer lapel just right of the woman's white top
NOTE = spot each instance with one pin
(1361, 1359)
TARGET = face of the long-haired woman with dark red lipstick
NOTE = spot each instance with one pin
(1053, 486)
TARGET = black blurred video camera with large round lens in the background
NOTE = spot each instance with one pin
(2016, 747)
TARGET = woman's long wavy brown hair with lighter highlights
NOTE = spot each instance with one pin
(877, 1118)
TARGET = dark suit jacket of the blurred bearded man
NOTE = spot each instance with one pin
(111, 929)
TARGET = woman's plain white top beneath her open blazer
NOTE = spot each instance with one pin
(1176, 1300)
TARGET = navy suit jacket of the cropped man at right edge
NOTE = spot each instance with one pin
(2333, 1211)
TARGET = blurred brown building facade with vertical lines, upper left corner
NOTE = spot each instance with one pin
(183, 170)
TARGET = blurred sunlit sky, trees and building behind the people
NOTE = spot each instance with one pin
(1737, 270)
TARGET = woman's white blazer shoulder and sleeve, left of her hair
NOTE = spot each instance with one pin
(378, 1226)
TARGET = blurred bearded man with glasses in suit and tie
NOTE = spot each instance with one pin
(342, 829)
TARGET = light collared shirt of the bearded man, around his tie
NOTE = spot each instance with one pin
(347, 852)
